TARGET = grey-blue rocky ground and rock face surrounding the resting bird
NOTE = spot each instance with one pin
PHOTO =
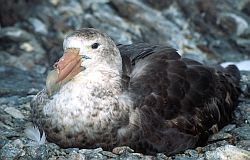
(31, 38)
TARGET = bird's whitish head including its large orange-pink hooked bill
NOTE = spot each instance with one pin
(84, 49)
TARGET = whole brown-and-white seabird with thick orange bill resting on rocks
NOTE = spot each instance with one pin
(141, 95)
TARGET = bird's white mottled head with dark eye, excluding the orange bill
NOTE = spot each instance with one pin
(96, 48)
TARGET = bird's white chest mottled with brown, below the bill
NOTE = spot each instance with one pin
(79, 108)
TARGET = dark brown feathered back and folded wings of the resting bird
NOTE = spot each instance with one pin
(180, 100)
